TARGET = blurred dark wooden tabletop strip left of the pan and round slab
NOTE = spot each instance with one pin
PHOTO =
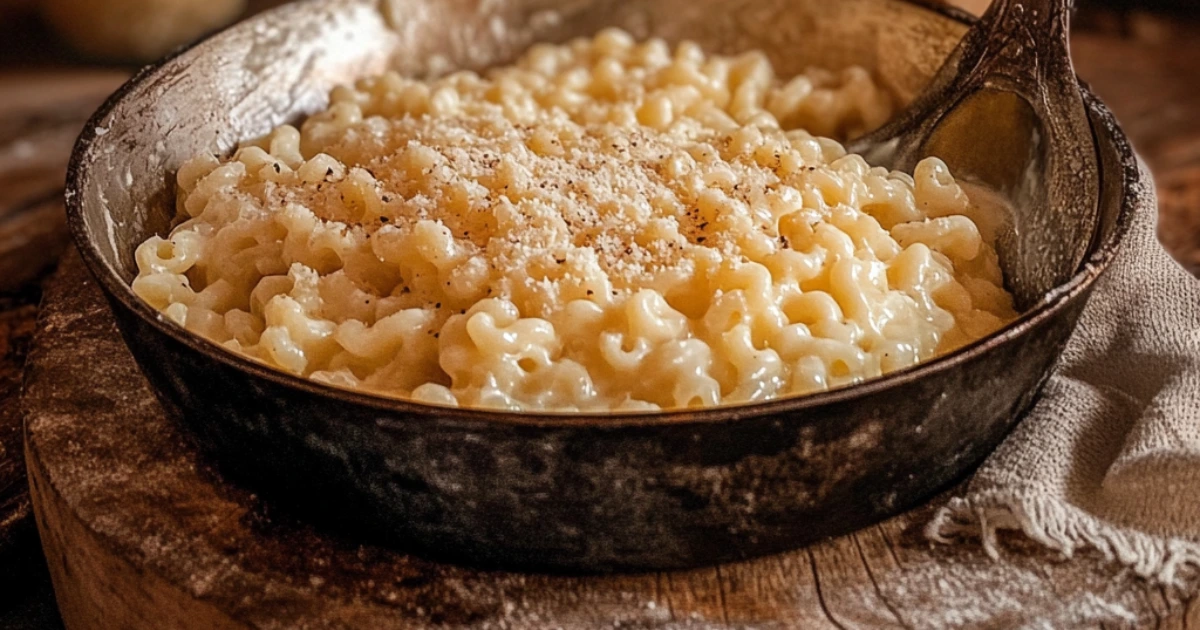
(41, 113)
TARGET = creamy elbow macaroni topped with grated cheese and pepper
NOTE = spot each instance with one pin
(607, 225)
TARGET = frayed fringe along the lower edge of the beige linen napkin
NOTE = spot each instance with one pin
(1064, 529)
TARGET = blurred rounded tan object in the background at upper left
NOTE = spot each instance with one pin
(136, 31)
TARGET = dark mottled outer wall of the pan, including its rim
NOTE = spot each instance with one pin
(604, 494)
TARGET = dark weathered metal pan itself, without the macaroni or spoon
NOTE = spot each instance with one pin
(565, 493)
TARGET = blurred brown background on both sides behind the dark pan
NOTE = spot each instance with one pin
(59, 59)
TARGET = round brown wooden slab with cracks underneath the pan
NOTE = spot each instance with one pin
(141, 533)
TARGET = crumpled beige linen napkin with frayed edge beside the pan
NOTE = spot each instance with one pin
(1109, 458)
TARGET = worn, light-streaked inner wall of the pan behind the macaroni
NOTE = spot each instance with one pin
(280, 68)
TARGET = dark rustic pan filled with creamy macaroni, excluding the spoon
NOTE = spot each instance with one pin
(585, 286)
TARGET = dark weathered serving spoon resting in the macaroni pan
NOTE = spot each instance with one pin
(1006, 111)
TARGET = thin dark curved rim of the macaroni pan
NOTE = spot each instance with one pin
(1101, 255)
